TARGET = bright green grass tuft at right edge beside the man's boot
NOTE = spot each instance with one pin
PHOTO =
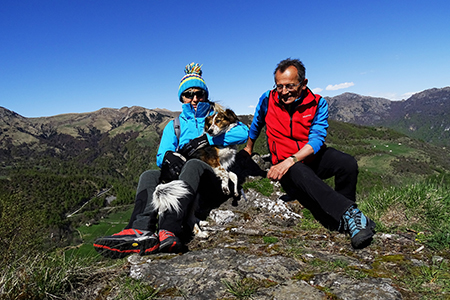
(423, 207)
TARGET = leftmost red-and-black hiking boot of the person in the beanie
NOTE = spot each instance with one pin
(126, 242)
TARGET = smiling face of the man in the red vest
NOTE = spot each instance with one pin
(291, 88)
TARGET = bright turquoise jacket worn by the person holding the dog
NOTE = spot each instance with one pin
(192, 123)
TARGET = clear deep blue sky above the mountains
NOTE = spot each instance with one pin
(64, 56)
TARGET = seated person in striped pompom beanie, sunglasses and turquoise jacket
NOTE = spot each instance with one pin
(149, 231)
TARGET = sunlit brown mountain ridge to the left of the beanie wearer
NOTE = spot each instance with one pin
(71, 135)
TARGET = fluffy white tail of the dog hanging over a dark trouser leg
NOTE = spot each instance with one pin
(166, 196)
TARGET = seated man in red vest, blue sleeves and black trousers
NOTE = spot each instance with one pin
(296, 123)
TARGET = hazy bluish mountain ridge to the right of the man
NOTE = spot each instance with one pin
(424, 115)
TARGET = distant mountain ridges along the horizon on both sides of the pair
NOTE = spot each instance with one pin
(424, 116)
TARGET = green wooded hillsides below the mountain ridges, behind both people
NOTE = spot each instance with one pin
(39, 191)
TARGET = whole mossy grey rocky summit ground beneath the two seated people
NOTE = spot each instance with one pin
(271, 248)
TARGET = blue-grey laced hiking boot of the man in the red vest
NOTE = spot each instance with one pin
(360, 228)
